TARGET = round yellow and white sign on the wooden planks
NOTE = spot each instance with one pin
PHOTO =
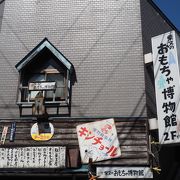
(45, 135)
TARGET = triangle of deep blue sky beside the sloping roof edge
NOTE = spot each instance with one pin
(171, 8)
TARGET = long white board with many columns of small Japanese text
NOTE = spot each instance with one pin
(33, 157)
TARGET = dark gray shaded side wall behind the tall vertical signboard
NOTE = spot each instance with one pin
(152, 25)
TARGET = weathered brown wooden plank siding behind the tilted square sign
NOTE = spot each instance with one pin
(132, 136)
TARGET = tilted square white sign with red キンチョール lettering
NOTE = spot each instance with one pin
(98, 141)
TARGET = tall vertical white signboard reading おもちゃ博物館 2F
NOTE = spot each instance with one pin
(166, 53)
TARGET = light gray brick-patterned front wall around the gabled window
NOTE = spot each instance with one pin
(102, 38)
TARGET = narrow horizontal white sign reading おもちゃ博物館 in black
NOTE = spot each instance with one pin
(124, 172)
